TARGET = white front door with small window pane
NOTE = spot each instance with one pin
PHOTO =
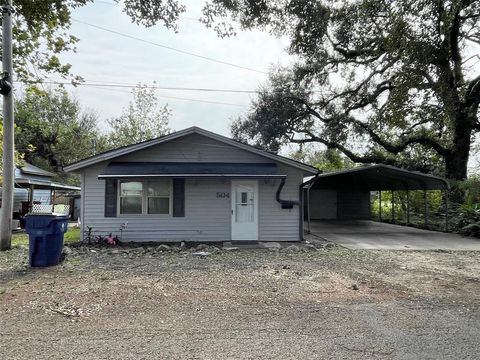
(244, 209)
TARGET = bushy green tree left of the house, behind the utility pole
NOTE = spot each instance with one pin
(52, 130)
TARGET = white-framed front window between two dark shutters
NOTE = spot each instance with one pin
(145, 197)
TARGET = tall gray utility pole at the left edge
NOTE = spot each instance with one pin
(6, 89)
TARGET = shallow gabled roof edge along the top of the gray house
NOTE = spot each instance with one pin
(108, 155)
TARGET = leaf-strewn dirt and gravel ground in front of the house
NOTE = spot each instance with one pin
(334, 303)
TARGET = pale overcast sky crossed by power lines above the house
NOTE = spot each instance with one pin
(108, 57)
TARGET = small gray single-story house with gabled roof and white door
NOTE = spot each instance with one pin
(192, 185)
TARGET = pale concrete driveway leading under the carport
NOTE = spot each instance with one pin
(365, 234)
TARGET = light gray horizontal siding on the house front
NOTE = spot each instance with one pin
(207, 218)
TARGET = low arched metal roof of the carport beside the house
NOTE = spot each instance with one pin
(379, 177)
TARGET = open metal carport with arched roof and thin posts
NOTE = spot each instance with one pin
(345, 195)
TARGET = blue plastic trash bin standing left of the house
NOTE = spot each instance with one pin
(45, 233)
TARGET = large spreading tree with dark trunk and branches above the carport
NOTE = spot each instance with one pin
(382, 81)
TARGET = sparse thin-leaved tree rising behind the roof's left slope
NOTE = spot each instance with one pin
(142, 120)
